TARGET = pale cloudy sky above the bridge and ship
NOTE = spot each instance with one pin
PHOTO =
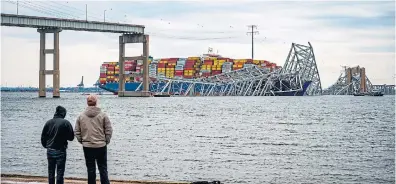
(342, 33)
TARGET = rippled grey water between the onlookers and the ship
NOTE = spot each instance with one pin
(328, 139)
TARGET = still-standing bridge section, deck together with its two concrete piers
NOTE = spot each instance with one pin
(130, 33)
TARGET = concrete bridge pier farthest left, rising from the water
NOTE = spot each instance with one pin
(55, 72)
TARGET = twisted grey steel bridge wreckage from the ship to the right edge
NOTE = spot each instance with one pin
(298, 77)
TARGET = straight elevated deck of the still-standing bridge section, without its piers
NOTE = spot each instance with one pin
(68, 24)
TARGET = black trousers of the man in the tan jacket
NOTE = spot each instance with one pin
(98, 155)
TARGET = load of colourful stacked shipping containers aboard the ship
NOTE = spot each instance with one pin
(189, 68)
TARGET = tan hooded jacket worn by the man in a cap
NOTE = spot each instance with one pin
(93, 128)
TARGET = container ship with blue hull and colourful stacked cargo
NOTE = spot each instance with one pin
(189, 68)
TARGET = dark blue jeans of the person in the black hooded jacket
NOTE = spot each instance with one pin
(56, 159)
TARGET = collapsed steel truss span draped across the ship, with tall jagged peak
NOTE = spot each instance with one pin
(298, 77)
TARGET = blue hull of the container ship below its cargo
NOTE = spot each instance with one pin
(183, 87)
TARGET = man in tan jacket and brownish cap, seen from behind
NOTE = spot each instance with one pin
(93, 130)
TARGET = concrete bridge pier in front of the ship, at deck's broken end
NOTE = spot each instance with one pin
(133, 38)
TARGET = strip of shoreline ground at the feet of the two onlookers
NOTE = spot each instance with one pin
(13, 178)
